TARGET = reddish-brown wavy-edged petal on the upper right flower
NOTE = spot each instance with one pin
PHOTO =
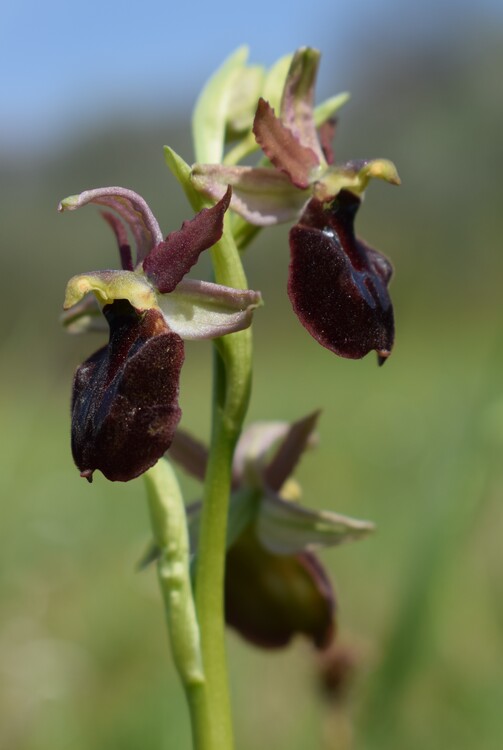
(281, 146)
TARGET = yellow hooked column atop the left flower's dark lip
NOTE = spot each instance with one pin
(109, 286)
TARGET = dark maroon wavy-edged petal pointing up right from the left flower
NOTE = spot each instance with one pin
(169, 261)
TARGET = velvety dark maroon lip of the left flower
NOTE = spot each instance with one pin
(125, 397)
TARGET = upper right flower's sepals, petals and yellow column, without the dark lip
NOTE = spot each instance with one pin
(301, 161)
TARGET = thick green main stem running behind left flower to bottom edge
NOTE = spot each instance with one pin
(231, 391)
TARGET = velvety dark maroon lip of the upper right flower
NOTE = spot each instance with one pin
(337, 284)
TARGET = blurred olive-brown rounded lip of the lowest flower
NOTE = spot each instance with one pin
(271, 598)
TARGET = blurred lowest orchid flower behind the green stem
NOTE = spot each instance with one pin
(275, 586)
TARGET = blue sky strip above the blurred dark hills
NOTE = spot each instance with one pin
(64, 65)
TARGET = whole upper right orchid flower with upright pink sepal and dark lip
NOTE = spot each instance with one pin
(337, 284)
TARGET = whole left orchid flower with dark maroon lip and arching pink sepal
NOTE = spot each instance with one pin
(125, 396)
